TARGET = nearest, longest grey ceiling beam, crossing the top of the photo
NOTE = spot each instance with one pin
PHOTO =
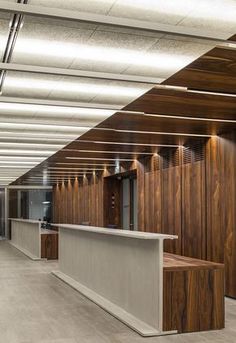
(57, 13)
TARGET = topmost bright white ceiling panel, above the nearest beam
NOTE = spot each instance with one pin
(203, 14)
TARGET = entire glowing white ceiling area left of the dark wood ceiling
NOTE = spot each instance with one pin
(30, 133)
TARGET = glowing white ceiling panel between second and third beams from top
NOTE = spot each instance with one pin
(40, 86)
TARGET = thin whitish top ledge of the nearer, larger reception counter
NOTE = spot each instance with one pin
(115, 232)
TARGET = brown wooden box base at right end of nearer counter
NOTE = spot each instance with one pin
(193, 294)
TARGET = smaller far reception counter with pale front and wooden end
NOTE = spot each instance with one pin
(35, 242)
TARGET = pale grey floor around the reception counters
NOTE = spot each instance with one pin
(36, 307)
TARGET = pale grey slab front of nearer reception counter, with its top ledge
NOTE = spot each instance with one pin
(121, 271)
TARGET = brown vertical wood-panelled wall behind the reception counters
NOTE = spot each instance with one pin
(190, 192)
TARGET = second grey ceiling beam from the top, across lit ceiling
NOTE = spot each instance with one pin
(78, 73)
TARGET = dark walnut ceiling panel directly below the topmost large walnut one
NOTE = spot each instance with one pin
(182, 103)
